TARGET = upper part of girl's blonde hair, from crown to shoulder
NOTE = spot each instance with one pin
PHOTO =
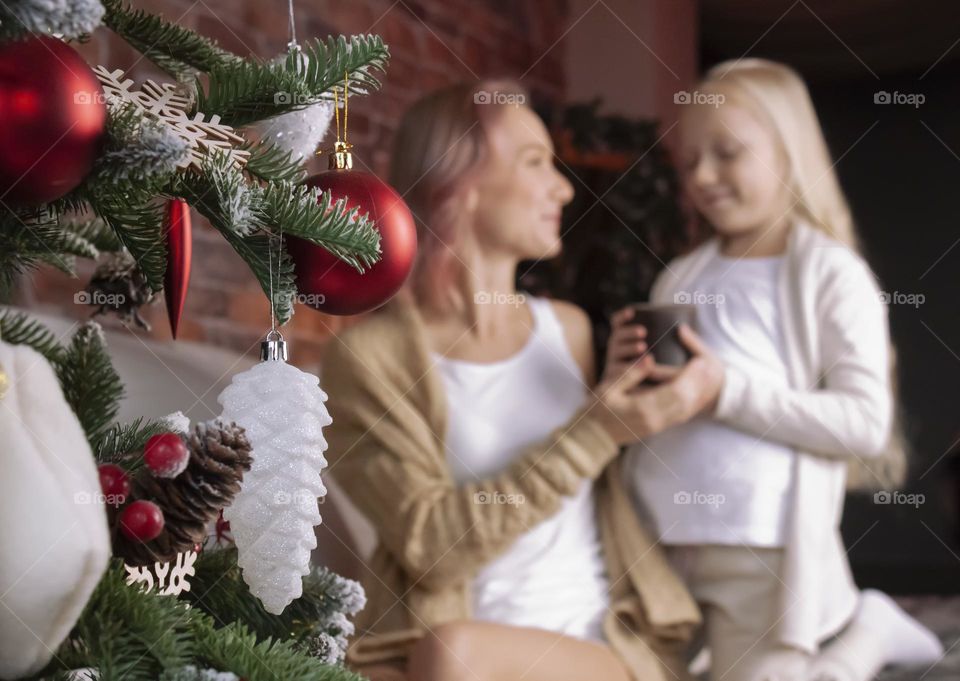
(781, 97)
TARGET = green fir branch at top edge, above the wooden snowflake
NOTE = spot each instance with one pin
(177, 50)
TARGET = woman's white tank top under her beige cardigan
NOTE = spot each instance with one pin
(553, 577)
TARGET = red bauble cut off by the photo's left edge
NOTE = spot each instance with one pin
(52, 117)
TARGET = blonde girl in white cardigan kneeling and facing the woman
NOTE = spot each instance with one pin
(748, 496)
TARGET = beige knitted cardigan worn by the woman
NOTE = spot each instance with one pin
(387, 452)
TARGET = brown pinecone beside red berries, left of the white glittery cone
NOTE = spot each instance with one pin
(219, 456)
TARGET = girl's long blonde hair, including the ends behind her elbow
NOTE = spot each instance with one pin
(780, 96)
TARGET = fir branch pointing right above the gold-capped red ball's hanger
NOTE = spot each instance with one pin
(250, 90)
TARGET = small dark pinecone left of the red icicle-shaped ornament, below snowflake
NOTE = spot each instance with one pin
(119, 286)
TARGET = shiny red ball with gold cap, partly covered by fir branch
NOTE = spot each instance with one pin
(333, 286)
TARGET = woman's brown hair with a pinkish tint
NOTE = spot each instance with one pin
(440, 146)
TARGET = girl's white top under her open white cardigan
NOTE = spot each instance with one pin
(705, 482)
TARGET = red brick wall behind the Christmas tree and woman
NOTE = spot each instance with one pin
(432, 42)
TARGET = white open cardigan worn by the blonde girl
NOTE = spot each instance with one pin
(838, 405)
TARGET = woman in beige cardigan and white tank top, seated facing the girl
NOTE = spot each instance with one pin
(466, 429)
